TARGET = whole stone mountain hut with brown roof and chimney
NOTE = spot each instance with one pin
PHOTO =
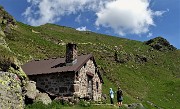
(67, 77)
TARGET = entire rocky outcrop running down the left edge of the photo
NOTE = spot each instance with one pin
(12, 78)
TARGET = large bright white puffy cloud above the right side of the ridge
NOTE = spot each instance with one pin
(127, 16)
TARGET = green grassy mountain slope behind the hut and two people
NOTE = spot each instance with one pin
(156, 80)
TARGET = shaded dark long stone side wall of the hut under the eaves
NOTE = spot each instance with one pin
(60, 84)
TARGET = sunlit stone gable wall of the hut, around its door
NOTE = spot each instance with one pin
(81, 81)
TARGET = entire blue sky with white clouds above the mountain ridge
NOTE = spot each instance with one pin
(133, 19)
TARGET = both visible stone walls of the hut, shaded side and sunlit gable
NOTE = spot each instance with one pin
(70, 83)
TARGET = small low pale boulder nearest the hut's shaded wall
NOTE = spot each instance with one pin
(43, 97)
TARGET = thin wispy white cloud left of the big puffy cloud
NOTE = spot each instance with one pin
(51, 11)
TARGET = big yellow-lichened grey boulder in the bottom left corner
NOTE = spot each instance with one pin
(10, 91)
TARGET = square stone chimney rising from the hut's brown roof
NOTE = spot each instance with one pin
(71, 54)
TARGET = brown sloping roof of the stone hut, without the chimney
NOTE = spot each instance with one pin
(54, 65)
